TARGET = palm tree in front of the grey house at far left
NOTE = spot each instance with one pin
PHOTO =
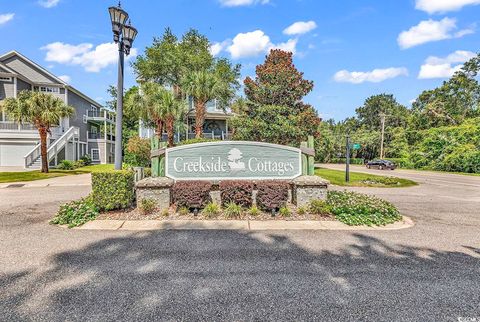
(40, 109)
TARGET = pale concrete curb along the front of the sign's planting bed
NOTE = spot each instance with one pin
(252, 225)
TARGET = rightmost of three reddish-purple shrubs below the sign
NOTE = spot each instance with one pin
(272, 195)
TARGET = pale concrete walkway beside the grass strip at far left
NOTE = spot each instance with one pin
(65, 181)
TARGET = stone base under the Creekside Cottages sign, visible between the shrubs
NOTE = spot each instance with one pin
(303, 190)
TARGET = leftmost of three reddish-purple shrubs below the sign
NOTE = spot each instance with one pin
(191, 194)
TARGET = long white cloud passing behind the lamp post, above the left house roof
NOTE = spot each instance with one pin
(85, 55)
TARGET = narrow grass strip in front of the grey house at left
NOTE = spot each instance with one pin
(37, 175)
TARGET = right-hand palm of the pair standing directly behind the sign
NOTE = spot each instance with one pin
(202, 86)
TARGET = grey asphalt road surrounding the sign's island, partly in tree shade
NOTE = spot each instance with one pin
(430, 272)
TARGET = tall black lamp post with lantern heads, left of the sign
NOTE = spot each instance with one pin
(123, 35)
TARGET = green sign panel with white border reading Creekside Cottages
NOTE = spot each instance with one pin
(232, 160)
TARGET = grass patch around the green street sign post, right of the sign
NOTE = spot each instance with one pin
(337, 177)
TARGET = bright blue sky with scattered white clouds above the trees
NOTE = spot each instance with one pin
(351, 49)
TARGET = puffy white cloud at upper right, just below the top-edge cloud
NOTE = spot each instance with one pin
(430, 30)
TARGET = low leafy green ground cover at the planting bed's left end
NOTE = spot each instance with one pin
(76, 213)
